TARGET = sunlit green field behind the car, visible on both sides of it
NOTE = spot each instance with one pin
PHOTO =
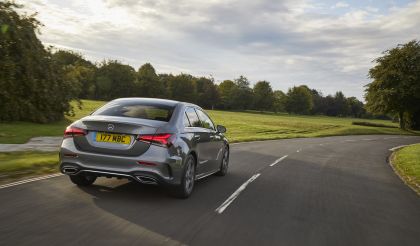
(242, 126)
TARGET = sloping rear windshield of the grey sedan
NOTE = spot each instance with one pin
(137, 110)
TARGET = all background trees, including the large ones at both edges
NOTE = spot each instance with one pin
(38, 83)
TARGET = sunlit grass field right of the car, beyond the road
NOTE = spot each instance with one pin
(249, 126)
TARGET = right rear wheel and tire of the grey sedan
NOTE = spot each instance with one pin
(186, 187)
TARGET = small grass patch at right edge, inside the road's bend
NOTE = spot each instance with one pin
(406, 162)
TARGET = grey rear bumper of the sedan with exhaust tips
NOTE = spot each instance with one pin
(162, 168)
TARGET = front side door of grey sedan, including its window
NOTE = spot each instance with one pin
(215, 147)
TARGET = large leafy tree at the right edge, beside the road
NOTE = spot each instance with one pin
(395, 87)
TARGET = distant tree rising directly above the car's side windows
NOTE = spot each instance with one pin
(207, 94)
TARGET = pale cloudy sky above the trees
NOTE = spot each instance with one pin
(327, 45)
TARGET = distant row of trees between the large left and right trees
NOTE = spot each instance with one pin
(112, 79)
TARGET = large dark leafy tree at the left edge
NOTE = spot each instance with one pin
(32, 85)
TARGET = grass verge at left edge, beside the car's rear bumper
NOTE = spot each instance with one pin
(17, 165)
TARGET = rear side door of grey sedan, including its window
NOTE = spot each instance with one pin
(201, 140)
